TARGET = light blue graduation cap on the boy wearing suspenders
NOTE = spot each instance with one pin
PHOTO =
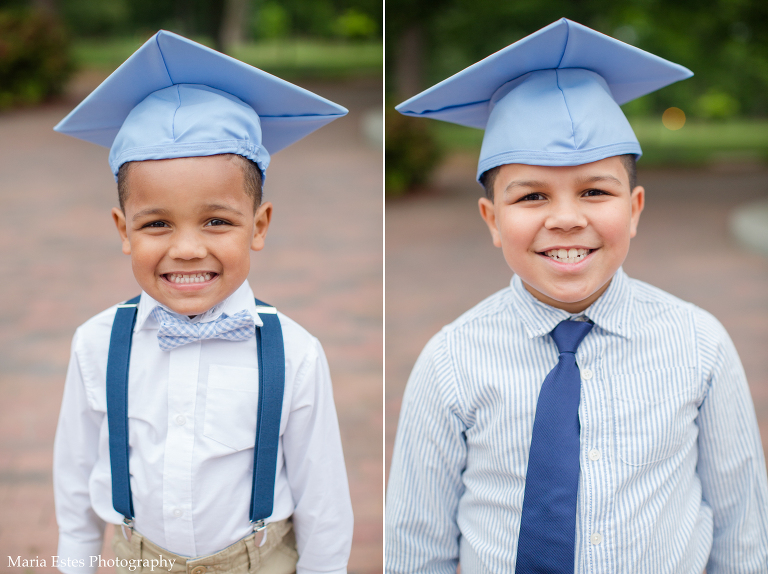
(177, 98)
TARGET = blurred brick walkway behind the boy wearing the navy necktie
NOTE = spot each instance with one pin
(440, 262)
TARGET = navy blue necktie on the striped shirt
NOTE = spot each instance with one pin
(546, 544)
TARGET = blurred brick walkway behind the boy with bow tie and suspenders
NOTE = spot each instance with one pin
(61, 258)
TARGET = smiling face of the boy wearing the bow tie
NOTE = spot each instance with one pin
(189, 227)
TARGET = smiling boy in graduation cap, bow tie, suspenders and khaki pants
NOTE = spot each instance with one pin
(200, 418)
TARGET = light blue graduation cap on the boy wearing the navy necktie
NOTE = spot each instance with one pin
(551, 98)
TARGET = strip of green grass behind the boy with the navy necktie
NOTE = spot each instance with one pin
(696, 143)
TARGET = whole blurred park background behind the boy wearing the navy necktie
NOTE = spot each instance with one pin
(704, 233)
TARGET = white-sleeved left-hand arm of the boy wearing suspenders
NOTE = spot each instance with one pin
(75, 451)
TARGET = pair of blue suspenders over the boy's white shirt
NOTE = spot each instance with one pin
(271, 356)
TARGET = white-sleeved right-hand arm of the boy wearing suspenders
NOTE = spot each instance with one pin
(314, 463)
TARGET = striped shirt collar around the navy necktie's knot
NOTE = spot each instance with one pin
(611, 312)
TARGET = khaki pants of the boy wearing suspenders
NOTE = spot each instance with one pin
(277, 556)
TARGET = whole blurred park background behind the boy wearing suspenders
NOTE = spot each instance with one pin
(322, 265)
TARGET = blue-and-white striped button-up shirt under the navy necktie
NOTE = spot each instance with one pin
(673, 475)
